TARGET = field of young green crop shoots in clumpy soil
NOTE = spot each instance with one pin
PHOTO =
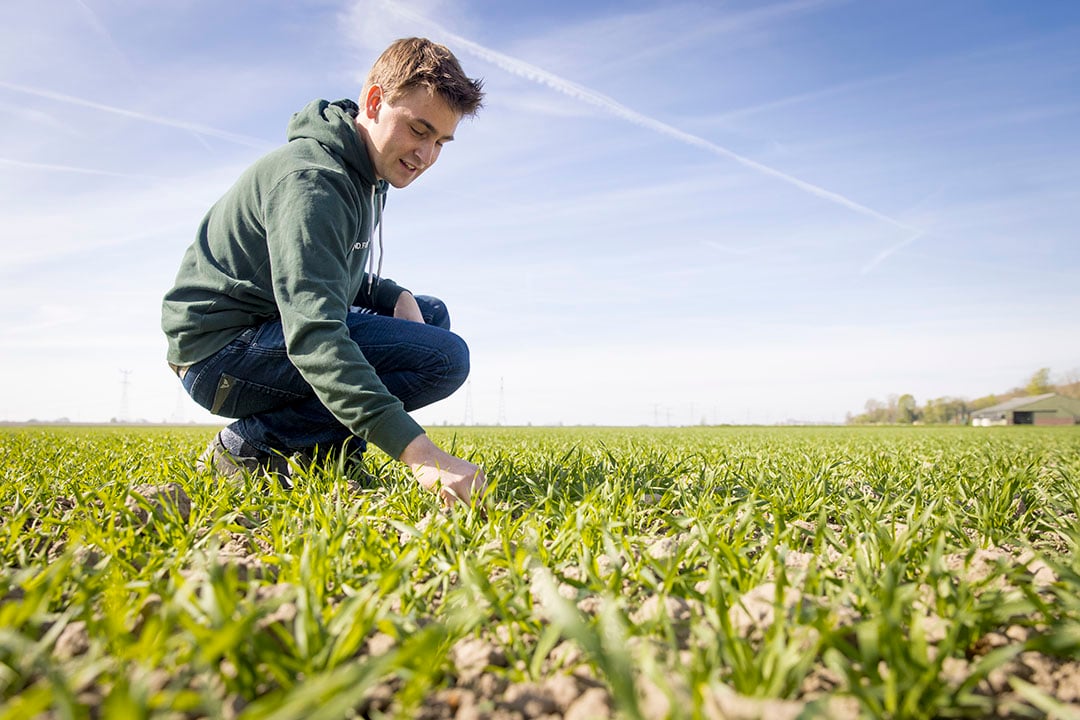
(835, 573)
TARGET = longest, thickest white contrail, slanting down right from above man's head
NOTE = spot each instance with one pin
(523, 70)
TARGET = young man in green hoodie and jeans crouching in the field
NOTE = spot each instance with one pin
(279, 317)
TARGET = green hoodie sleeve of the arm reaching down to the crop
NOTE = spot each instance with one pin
(310, 225)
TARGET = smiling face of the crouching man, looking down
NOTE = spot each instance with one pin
(406, 139)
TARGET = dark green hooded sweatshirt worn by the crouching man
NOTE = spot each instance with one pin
(291, 241)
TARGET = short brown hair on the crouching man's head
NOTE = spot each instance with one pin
(420, 63)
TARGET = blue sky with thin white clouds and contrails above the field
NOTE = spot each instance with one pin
(667, 213)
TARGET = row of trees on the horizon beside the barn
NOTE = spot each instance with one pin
(948, 411)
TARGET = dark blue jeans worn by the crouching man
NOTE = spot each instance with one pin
(277, 410)
